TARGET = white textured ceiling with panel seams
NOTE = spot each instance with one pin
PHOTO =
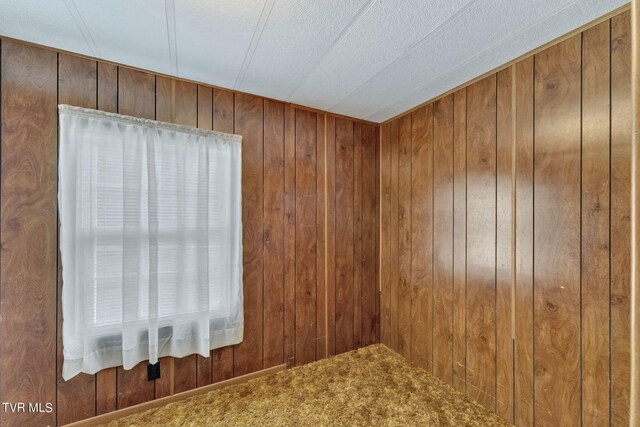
(370, 59)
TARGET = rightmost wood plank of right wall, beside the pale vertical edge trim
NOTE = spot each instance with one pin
(621, 126)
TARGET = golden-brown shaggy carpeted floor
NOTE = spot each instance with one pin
(369, 386)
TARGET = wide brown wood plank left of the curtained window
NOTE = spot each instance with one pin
(28, 227)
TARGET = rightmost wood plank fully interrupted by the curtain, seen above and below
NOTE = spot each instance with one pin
(223, 121)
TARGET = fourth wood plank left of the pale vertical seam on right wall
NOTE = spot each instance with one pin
(443, 239)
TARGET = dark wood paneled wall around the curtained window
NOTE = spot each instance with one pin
(309, 221)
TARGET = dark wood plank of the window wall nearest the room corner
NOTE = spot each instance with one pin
(369, 232)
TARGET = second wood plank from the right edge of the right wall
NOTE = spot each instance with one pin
(595, 224)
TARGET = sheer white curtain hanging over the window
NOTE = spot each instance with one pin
(150, 239)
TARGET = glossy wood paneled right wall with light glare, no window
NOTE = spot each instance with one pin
(505, 234)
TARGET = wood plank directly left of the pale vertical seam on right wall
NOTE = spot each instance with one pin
(504, 245)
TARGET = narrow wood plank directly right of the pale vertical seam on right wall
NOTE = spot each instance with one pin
(523, 372)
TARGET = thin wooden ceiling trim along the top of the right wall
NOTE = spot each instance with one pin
(529, 54)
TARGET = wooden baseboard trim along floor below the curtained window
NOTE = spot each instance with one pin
(152, 404)
